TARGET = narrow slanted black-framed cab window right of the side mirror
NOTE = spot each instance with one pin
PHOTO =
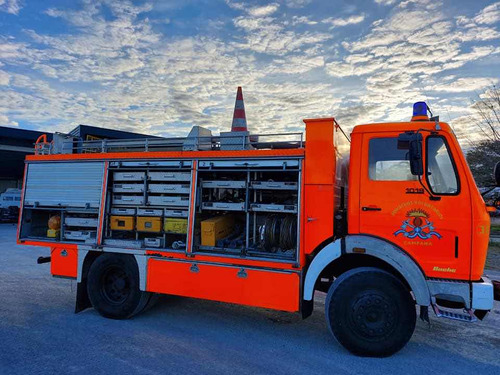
(441, 173)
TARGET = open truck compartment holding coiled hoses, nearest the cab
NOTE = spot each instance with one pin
(248, 209)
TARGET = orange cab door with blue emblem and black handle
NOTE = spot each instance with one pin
(394, 205)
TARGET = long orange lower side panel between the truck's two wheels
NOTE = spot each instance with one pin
(252, 287)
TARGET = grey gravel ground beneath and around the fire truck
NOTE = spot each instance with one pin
(39, 334)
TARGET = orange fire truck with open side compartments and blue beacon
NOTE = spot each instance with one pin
(385, 221)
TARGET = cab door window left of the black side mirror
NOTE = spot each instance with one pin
(386, 162)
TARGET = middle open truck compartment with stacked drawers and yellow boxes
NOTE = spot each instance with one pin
(144, 222)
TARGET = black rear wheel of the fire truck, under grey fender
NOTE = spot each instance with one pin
(113, 286)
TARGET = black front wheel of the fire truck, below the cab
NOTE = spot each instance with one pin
(370, 312)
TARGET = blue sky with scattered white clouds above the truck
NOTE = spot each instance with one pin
(161, 66)
